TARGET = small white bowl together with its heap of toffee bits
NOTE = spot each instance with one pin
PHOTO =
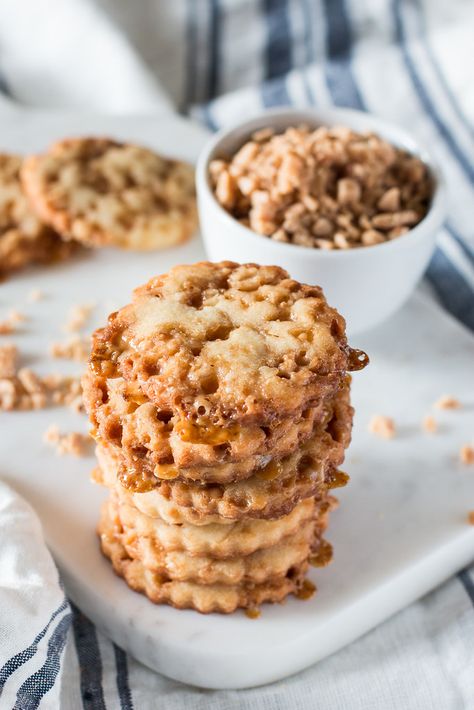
(339, 198)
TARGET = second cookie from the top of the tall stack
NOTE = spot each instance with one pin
(151, 449)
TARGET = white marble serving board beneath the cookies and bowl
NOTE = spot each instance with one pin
(400, 530)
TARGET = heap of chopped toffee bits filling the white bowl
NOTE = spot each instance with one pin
(328, 188)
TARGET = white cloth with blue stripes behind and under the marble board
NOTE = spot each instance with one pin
(407, 60)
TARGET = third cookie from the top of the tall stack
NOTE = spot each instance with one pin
(269, 493)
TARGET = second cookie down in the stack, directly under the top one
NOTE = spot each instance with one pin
(152, 446)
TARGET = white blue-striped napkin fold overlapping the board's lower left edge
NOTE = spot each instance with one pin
(34, 613)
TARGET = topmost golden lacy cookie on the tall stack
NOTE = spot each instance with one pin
(220, 345)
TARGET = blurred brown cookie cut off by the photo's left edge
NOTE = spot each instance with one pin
(24, 239)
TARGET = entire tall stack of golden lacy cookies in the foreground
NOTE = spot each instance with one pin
(219, 400)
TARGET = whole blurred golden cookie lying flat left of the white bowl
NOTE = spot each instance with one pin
(105, 193)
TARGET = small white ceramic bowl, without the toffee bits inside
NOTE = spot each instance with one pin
(365, 284)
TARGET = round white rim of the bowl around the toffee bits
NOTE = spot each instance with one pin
(392, 132)
